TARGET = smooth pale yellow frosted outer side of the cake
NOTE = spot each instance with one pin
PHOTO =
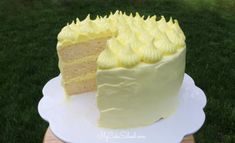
(141, 95)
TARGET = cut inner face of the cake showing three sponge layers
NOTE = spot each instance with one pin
(77, 65)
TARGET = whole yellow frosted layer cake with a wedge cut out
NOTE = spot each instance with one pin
(135, 64)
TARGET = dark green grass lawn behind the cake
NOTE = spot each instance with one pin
(28, 59)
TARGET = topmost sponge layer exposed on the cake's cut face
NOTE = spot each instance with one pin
(74, 52)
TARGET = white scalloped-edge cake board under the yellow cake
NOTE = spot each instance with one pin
(73, 119)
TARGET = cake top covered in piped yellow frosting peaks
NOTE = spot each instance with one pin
(132, 39)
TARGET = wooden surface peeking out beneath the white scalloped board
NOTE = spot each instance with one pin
(51, 138)
